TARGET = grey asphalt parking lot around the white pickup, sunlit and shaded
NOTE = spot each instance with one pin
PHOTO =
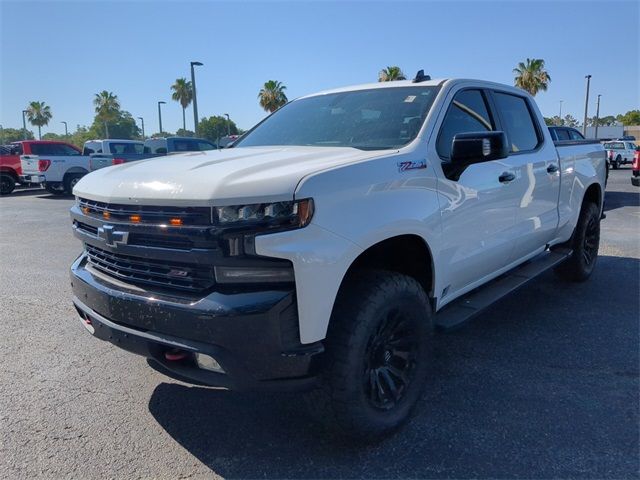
(543, 385)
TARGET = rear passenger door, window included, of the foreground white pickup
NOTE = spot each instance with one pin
(535, 164)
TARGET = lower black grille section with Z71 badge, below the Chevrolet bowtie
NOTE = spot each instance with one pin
(135, 270)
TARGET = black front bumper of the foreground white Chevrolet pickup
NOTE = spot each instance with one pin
(253, 335)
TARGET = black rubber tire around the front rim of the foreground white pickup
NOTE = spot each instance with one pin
(357, 316)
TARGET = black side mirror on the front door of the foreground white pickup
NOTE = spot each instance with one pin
(476, 147)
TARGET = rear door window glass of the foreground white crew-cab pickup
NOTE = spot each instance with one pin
(518, 123)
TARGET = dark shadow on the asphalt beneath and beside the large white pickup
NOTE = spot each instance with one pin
(543, 384)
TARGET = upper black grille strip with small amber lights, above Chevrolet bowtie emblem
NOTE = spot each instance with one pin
(148, 214)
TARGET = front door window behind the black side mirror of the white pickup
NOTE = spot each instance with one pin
(468, 112)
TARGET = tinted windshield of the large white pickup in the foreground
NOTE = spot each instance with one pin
(381, 118)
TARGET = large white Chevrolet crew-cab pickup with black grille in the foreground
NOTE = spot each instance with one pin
(323, 249)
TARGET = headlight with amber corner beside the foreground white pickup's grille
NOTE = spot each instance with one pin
(285, 215)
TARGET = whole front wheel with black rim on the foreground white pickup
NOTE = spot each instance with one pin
(377, 355)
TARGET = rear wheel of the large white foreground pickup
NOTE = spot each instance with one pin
(585, 243)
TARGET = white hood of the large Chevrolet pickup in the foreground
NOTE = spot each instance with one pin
(216, 177)
